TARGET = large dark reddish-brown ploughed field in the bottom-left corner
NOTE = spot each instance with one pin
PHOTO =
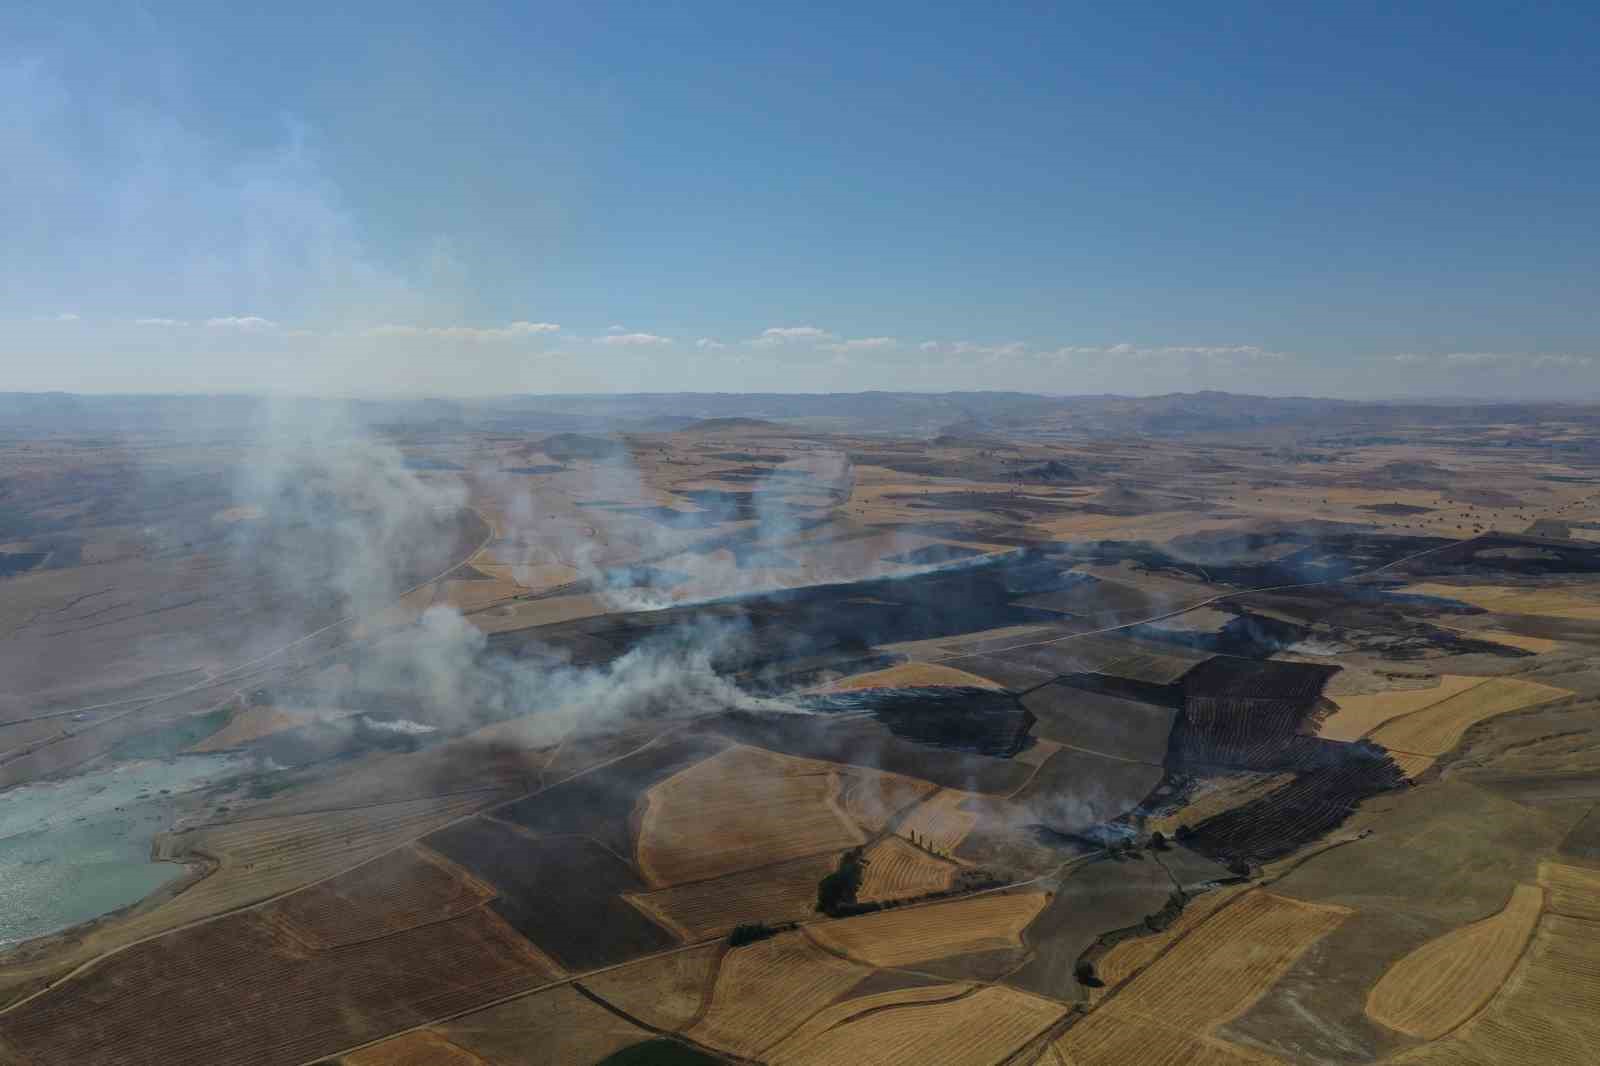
(268, 1000)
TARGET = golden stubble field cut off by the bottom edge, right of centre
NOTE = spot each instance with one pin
(969, 1032)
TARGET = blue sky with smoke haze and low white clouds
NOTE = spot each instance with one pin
(478, 199)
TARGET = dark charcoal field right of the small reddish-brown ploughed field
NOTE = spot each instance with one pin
(564, 894)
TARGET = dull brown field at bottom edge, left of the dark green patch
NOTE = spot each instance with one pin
(559, 1025)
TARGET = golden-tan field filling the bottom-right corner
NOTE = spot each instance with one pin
(1543, 1017)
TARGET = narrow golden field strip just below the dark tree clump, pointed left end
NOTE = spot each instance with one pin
(910, 936)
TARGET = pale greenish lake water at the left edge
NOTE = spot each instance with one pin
(78, 849)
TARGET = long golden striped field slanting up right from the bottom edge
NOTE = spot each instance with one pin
(1164, 1016)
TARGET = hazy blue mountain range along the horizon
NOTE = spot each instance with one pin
(900, 414)
